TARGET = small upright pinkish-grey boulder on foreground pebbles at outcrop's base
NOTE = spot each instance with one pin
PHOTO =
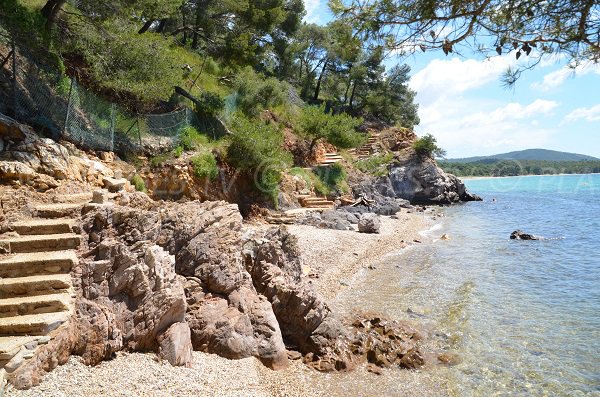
(176, 345)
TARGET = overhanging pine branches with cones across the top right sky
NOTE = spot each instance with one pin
(530, 28)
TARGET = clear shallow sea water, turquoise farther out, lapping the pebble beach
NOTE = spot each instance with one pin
(523, 317)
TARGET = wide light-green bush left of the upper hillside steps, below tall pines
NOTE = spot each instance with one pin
(339, 130)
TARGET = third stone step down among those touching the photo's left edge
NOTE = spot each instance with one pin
(34, 285)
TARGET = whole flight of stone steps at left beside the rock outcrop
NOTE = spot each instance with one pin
(36, 290)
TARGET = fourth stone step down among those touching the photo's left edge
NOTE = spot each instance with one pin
(25, 305)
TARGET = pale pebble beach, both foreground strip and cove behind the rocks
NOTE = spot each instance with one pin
(335, 256)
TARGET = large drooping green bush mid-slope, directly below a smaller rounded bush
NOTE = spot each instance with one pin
(256, 147)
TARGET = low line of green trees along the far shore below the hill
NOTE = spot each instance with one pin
(521, 167)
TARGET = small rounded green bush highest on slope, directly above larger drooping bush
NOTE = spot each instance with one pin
(256, 93)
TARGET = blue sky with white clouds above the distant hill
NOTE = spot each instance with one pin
(463, 104)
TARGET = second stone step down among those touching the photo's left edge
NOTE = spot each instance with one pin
(37, 263)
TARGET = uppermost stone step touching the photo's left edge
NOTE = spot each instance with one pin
(38, 243)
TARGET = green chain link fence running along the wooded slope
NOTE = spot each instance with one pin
(57, 106)
